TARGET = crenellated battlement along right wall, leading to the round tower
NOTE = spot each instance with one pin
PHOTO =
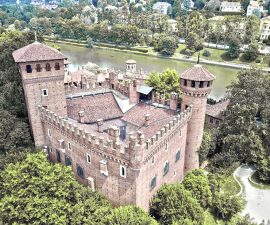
(168, 129)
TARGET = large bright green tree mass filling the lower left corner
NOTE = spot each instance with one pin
(35, 191)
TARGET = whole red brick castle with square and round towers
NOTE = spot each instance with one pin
(117, 134)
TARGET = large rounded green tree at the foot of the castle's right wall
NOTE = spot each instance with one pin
(173, 203)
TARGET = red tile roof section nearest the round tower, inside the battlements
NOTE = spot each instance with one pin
(158, 118)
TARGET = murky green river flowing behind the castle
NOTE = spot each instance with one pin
(106, 58)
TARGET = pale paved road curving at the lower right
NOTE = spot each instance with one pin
(258, 201)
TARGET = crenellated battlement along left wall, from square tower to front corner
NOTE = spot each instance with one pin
(110, 148)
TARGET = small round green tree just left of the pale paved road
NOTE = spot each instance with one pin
(226, 206)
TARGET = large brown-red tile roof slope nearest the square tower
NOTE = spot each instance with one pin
(102, 106)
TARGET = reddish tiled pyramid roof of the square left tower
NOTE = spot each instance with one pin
(36, 52)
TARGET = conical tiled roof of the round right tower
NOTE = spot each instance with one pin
(197, 73)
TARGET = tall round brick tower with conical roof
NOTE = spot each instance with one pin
(195, 85)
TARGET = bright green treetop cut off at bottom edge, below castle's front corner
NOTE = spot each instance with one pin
(129, 215)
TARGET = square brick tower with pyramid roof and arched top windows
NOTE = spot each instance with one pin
(42, 71)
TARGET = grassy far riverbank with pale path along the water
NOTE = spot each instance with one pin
(148, 51)
